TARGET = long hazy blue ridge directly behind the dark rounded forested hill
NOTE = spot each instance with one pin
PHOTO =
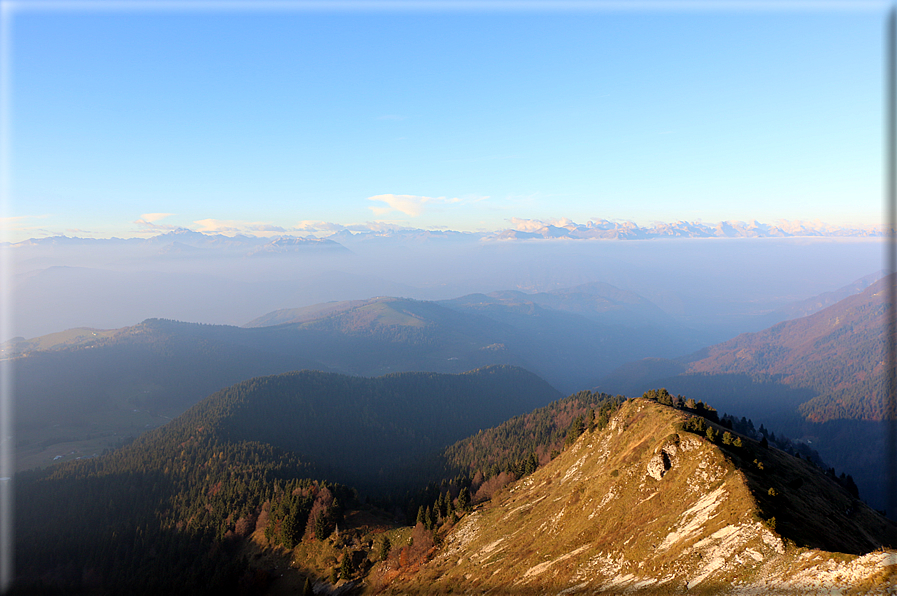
(83, 390)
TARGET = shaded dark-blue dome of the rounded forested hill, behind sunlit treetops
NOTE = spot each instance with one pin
(360, 430)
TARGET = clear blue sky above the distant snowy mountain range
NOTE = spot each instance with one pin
(129, 122)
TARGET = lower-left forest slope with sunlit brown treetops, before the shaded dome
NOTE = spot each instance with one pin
(164, 515)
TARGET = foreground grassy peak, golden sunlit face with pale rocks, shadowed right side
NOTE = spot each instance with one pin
(648, 506)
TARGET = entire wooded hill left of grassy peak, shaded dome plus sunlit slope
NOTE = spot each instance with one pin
(188, 492)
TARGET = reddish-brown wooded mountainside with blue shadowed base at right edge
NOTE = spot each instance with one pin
(819, 378)
